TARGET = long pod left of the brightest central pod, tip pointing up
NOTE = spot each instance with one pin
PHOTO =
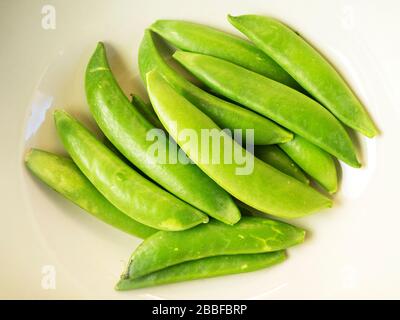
(128, 130)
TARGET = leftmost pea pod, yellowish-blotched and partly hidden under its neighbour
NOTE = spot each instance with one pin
(62, 175)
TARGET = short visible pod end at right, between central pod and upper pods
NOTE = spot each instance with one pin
(314, 161)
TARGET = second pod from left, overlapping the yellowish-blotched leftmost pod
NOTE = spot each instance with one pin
(134, 195)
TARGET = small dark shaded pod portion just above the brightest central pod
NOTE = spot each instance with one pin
(279, 160)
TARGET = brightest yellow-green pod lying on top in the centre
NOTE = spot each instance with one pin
(255, 183)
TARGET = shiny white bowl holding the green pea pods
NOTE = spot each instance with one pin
(352, 250)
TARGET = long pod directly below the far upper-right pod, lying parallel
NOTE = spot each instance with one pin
(284, 105)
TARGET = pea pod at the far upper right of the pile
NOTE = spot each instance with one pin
(307, 67)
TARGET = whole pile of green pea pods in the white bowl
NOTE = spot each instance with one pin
(201, 219)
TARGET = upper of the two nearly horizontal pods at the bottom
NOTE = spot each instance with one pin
(249, 235)
